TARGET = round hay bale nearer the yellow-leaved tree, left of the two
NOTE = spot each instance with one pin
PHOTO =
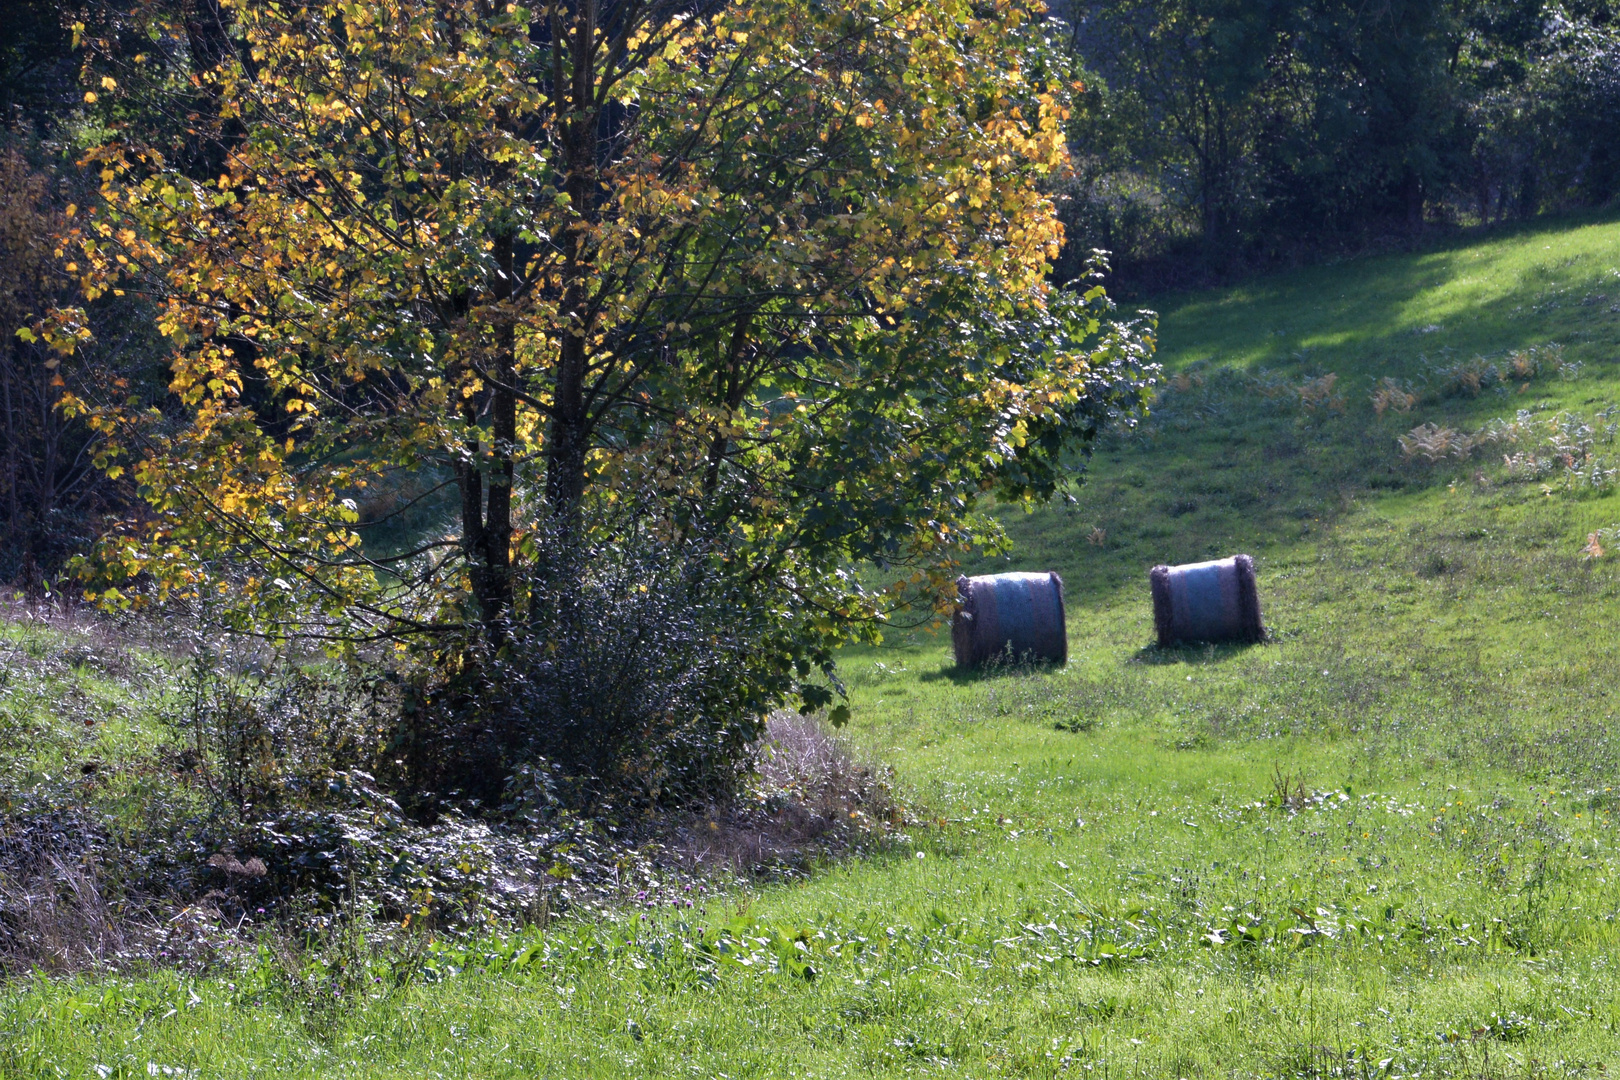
(1010, 613)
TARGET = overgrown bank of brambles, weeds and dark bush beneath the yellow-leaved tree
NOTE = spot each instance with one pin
(263, 789)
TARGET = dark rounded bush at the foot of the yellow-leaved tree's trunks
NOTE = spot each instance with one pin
(642, 668)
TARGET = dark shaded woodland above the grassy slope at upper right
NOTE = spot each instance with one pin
(1227, 135)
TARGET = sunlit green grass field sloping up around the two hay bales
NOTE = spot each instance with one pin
(1386, 844)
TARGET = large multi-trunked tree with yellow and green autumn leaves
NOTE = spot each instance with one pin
(780, 266)
